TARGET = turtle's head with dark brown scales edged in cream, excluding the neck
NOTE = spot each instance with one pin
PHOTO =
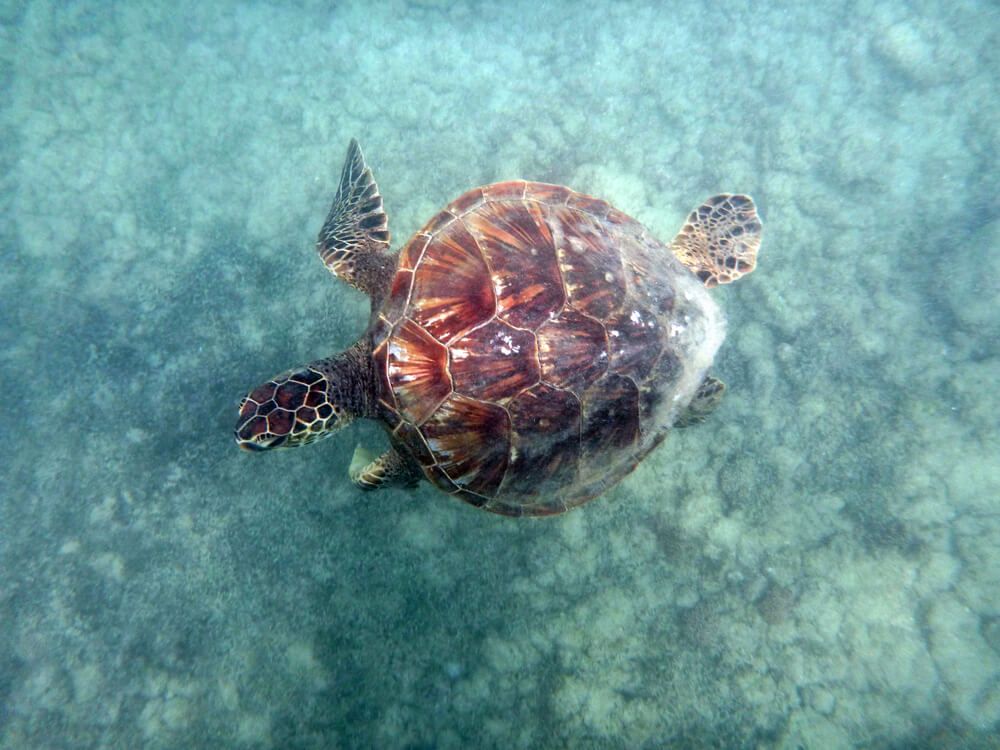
(291, 409)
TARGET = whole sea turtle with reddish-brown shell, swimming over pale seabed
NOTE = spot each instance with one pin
(526, 348)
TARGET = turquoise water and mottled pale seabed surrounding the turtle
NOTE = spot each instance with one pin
(816, 566)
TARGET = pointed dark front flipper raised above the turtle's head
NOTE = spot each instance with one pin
(354, 240)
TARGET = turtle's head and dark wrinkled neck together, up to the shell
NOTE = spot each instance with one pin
(303, 405)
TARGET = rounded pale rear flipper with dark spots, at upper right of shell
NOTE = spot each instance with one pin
(720, 239)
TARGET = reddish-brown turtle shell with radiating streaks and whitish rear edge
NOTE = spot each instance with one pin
(534, 345)
